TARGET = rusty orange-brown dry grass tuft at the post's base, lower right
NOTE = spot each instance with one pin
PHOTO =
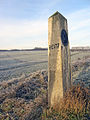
(74, 106)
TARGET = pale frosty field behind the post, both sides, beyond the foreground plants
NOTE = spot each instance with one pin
(21, 63)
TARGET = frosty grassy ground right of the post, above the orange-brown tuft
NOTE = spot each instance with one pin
(81, 67)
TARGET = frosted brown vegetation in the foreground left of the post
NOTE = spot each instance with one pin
(23, 99)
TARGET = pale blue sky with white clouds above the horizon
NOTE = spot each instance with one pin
(24, 23)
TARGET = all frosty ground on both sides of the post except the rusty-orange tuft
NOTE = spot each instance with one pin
(23, 94)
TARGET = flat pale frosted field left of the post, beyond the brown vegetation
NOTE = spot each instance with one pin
(21, 63)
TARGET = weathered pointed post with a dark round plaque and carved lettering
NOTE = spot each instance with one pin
(59, 65)
